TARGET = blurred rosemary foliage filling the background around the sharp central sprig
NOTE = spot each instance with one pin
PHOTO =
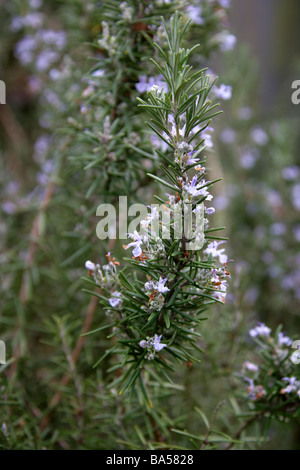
(72, 137)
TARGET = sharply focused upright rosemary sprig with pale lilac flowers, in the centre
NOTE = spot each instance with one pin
(155, 305)
